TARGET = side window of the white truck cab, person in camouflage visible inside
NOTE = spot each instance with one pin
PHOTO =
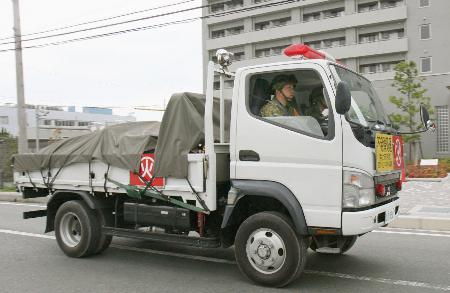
(293, 99)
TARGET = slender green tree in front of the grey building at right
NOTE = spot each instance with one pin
(408, 82)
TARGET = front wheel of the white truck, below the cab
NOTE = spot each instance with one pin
(268, 251)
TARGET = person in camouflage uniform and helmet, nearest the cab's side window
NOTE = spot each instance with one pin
(282, 103)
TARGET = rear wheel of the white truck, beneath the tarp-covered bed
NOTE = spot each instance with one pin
(77, 229)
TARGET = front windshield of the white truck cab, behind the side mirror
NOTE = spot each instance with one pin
(366, 108)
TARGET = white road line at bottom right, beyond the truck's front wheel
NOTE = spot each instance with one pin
(380, 280)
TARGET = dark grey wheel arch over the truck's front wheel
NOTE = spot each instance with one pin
(268, 189)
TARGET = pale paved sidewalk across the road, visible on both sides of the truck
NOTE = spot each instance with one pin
(423, 205)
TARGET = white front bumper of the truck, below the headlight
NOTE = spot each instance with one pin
(360, 222)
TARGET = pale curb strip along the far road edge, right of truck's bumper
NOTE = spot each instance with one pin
(424, 223)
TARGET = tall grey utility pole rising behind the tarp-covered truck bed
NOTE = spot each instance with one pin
(21, 115)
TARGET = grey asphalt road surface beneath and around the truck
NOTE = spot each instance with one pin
(387, 260)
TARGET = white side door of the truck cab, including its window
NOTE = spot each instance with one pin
(300, 149)
